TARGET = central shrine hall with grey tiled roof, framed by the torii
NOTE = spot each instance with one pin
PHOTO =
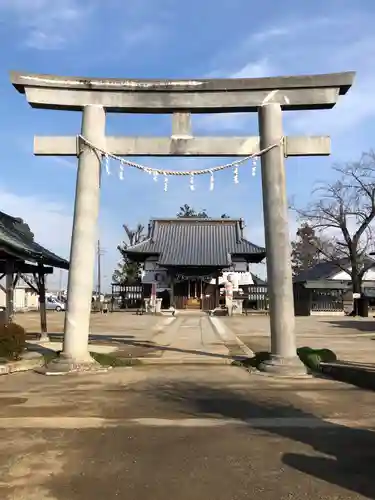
(185, 257)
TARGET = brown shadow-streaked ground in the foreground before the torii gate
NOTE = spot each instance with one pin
(186, 433)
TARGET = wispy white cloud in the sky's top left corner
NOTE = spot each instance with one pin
(48, 24)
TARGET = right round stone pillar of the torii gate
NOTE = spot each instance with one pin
(279, 271)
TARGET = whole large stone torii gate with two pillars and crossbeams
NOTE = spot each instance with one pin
(269, 97)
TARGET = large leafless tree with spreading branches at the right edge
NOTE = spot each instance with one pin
(343, 213)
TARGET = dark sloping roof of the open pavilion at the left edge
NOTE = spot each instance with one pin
(17, 239)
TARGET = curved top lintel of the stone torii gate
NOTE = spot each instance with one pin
(196, 96)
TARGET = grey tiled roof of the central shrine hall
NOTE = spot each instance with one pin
(200, 242)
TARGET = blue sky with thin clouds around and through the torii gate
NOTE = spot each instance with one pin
(167, 39)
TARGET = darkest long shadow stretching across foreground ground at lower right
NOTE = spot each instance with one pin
(350, 453)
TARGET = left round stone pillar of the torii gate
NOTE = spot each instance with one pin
(83, 245)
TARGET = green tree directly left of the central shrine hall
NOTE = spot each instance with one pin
(127, 271)
